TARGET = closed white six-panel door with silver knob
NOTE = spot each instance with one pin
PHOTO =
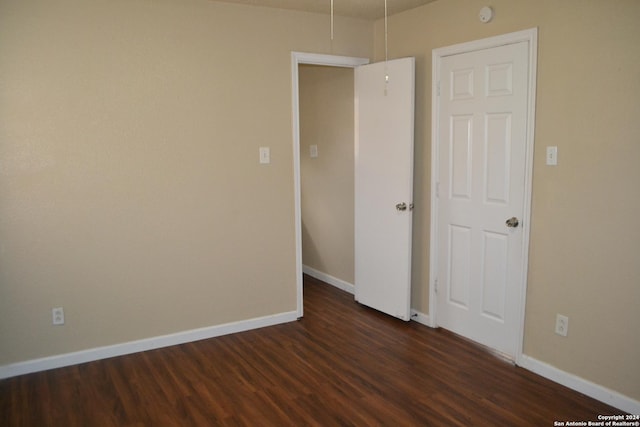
(482, 145)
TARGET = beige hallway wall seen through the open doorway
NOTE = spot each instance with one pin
(327, 120)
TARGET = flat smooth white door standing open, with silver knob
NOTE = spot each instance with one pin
(384, 185)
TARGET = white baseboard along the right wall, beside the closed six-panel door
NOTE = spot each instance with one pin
(598, 392)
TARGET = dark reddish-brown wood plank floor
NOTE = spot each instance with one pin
(343, 364)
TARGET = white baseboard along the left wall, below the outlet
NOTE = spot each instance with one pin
(90, 355)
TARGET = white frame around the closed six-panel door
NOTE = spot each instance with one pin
(530, 36)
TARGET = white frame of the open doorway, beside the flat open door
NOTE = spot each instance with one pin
(298, 58)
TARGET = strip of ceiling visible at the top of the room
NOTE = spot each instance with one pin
(366, 9)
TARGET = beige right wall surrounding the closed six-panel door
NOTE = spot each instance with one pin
(585, 234)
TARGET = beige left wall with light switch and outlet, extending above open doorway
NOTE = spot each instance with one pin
(130, 188)
